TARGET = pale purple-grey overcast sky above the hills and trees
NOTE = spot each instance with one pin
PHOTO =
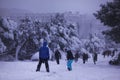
(44, 6)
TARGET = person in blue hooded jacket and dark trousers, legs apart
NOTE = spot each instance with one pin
(43, 57)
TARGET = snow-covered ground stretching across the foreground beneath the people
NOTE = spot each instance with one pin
(26, 71)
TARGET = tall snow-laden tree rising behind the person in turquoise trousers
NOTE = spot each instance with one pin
(63, 33)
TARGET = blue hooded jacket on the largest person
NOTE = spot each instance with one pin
(44, 51)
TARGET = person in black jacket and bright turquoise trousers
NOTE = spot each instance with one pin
(69, 60)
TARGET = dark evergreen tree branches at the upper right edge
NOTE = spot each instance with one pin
(109, 14)
